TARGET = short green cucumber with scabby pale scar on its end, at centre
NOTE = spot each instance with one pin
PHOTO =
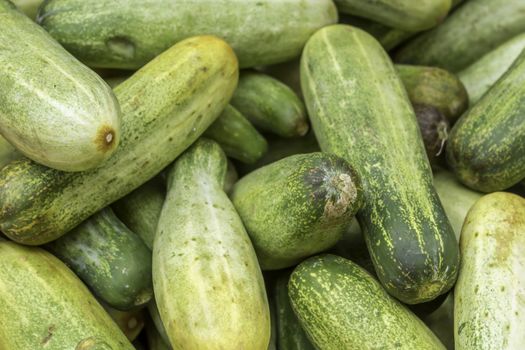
(323, 193)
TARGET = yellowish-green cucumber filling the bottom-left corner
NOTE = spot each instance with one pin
(45, 306)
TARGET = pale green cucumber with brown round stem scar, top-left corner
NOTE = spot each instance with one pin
(53, 109)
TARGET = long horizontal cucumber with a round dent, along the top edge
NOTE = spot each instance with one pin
(128, 34)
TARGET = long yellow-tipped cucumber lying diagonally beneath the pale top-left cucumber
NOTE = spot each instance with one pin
(166, 105)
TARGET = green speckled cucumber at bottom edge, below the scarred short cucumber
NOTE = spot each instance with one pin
(341, 306)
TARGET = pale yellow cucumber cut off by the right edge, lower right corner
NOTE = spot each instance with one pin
(489, 310)
